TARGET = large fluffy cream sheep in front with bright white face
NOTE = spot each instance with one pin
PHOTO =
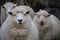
(19, 25)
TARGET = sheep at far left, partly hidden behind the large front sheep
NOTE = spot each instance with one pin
(5, 9)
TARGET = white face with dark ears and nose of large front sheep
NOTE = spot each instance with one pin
(19, 15)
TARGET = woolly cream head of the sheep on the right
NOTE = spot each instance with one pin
(42, 17)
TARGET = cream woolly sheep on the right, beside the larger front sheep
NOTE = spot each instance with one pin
(47, 24)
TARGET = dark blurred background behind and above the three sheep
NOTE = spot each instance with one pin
(52, 6)
